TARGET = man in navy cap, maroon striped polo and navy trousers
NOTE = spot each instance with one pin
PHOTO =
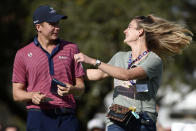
(51, 107)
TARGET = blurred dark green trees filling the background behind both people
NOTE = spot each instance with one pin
(97, 27)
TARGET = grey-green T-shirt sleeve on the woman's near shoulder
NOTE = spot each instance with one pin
(152, 66)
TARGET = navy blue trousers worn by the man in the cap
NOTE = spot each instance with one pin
(40, 121)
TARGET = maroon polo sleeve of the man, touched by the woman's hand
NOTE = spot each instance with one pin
(79, 70)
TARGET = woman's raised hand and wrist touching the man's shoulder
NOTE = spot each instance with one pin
(80, 57)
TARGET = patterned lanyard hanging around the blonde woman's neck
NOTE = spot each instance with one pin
(133, 82)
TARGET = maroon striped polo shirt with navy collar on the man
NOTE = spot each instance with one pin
(35, 68)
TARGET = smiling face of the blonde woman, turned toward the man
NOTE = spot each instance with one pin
(131, 32)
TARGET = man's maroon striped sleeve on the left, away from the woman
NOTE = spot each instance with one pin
(19, 69)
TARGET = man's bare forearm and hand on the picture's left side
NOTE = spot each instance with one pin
(20, 94)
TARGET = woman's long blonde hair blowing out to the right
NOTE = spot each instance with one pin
(163, 37)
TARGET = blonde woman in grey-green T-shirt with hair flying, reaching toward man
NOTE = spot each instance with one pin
(137, 73)
